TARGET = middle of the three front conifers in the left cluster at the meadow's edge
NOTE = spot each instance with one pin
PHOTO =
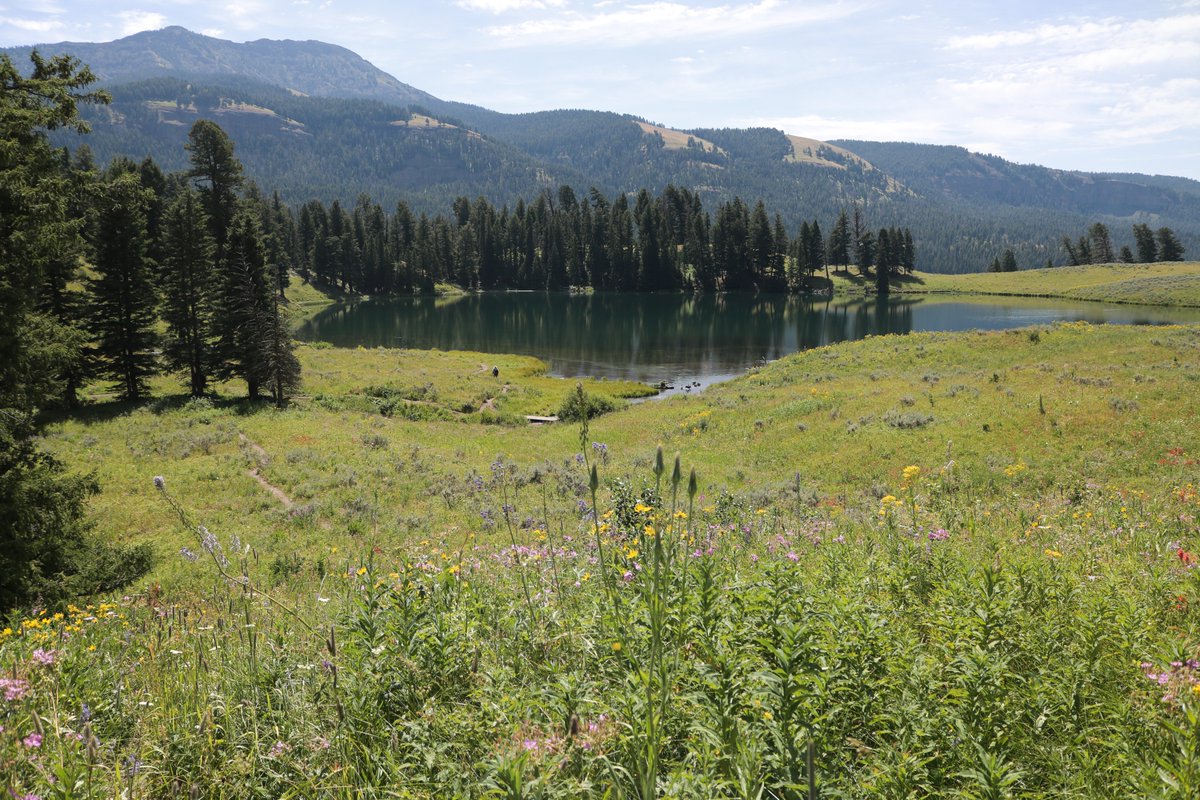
(190, 293)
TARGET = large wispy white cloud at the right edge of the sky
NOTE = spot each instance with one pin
(1077, 87)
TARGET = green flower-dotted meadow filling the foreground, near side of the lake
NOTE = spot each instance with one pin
(933, 566)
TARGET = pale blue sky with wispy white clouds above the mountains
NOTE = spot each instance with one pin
(1097, 86)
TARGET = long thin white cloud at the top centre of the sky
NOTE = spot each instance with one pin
(633, 25)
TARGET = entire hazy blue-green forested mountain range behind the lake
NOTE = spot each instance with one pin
(315, 121)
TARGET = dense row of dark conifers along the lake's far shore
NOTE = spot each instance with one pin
(638, 243)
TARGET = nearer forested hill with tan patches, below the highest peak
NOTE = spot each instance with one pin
(315, 147)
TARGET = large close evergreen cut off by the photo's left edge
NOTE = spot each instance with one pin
(45, 551)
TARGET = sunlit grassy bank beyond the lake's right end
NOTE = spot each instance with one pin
(1168, 284)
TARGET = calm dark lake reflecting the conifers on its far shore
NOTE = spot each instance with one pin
(681, 339)
